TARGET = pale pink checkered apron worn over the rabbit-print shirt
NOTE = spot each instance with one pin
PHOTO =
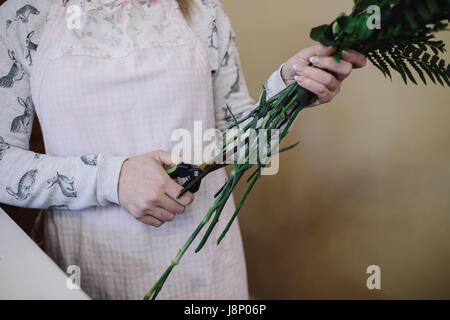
(129, 103)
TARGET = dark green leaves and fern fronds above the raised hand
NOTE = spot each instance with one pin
(404, 44)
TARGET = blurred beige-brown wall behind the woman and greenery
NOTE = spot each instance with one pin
(370, 183)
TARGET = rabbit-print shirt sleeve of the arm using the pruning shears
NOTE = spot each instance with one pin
(30, 179)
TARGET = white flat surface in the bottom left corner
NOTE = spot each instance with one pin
(26, 272)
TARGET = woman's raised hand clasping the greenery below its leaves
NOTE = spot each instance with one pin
(324, 84)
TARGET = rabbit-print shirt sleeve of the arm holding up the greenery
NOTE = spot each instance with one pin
(229, 84)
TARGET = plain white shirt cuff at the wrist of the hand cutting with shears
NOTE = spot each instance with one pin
(108, 179)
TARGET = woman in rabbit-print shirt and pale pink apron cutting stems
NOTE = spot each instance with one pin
(110, 81)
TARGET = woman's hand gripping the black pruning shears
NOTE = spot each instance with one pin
(146, 190)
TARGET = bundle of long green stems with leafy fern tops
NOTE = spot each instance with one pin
(403, 41)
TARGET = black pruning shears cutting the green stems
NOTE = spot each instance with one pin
(192, 174)
